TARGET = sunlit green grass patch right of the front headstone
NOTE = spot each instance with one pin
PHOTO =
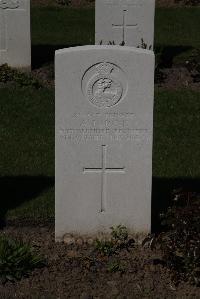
(176, 134)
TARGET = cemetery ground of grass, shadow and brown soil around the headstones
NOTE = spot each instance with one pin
(112, 270)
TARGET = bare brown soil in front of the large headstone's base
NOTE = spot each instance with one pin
(80, 272)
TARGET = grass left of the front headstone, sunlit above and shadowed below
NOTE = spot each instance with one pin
(27, 149)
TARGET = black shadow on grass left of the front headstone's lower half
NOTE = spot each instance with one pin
(16, 190)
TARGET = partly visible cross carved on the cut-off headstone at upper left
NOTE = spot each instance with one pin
(4, 6)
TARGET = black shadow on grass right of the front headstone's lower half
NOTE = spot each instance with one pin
(162, 195)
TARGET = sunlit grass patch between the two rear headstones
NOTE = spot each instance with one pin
(62, 26)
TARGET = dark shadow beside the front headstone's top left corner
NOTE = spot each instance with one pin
(44, 54)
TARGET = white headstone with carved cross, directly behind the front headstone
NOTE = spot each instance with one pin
(125, 21)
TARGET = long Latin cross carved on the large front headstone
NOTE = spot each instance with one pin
(103, 170)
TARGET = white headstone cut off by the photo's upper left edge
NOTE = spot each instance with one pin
(15, 44)
